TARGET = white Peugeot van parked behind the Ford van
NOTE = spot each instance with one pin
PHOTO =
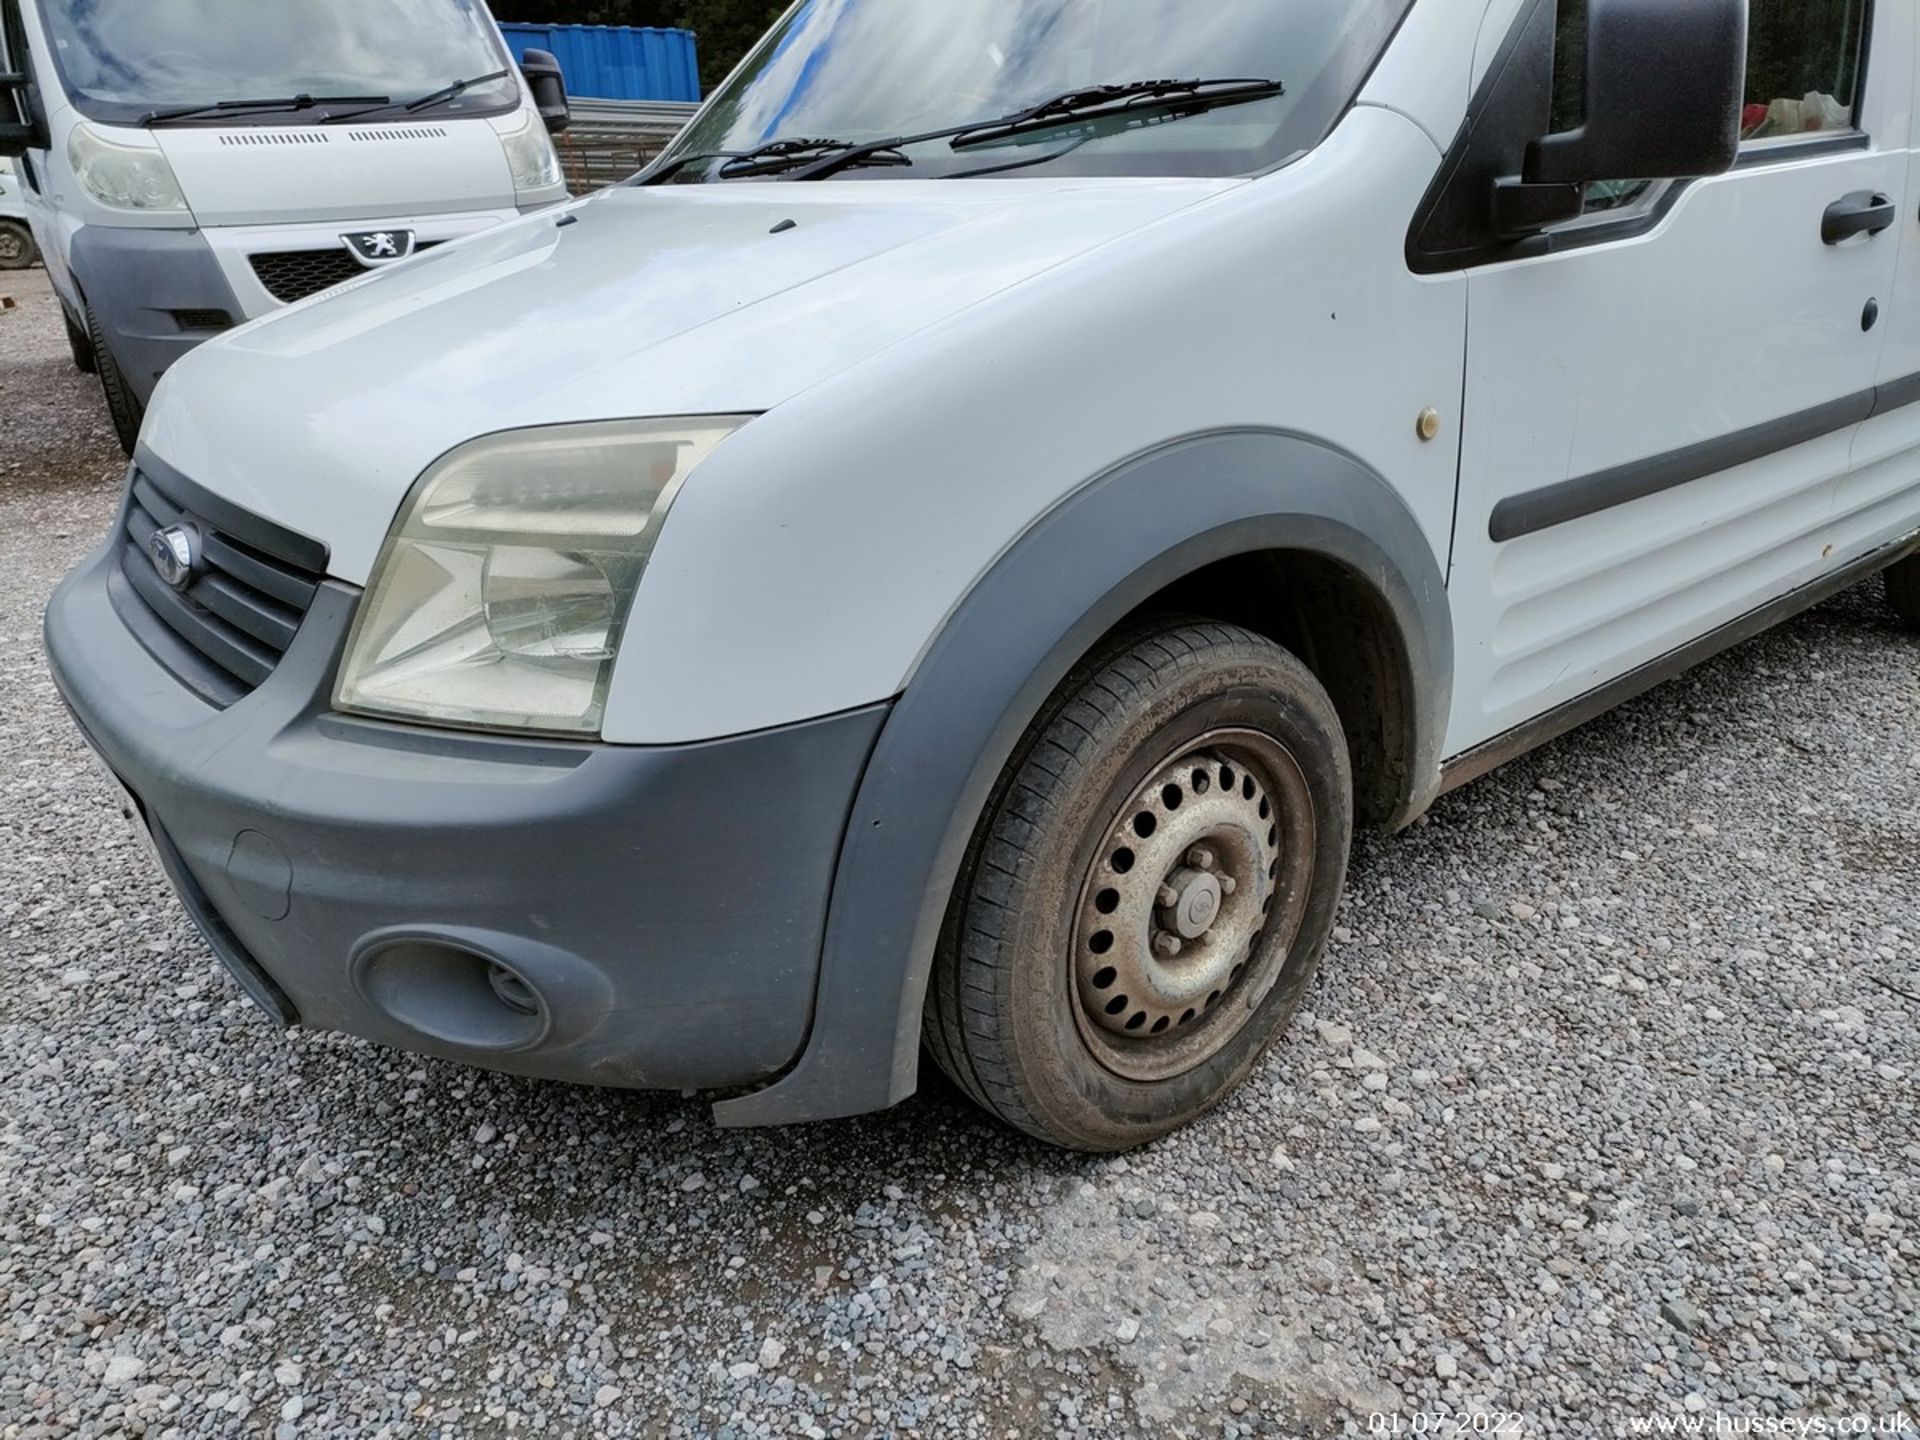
(195, 164)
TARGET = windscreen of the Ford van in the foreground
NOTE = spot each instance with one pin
(865, 70)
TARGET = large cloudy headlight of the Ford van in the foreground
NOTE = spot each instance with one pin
(504, 587)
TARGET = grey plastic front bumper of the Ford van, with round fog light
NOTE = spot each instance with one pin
(587, 913)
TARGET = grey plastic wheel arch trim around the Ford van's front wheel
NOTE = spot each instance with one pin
(1067, 583)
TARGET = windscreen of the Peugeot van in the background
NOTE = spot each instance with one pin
(126, 60)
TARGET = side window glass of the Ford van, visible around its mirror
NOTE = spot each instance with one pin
(1804, 76)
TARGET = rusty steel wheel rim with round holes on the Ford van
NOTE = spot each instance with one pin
(1193, 898)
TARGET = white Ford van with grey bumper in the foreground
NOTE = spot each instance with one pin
(948, 558)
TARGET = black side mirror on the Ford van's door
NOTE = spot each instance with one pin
(1666, 82)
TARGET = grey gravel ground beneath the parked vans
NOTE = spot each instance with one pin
(1606, 1111)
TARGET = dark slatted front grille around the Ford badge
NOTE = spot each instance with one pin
(251, 588)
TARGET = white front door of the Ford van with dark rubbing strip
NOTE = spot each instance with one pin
(1664, 393)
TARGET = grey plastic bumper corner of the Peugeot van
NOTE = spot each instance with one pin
(141, 285)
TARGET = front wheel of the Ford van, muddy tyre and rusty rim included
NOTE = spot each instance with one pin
(1151, 890)
